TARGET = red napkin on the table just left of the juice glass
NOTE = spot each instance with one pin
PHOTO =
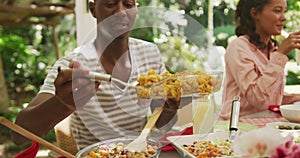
(169, 145)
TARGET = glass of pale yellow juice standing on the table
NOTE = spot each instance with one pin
(203, 110)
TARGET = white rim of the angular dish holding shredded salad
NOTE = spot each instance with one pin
(179, 141)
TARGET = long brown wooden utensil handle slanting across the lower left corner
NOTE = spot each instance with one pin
(34, 137)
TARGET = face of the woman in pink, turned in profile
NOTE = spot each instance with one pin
(270, 20)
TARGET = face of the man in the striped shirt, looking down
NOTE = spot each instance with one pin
(115, 16)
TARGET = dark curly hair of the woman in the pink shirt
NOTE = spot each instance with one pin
(245, 23)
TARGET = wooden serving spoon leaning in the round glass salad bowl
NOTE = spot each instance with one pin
(140, 143)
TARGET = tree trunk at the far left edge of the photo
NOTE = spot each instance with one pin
(4, 101)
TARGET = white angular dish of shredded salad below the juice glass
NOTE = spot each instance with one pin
(211, 145)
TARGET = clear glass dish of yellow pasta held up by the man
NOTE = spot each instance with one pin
(180, 84)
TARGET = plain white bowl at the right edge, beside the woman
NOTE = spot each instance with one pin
(291, 112)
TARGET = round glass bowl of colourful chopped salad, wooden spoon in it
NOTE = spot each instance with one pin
(115, 148)
